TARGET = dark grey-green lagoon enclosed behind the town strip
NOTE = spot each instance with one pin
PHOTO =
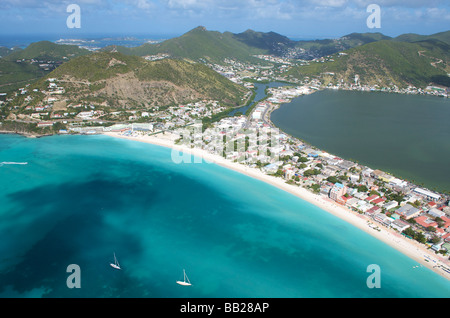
(405, 135)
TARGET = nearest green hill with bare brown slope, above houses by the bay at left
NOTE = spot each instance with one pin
(125, 81)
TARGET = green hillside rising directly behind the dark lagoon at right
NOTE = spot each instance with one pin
(385, 63)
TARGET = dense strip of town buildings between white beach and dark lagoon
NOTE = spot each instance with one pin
(417, 214)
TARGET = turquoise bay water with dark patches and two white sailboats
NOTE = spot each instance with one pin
(82, 198)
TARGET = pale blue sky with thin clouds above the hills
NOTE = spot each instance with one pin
(293, 18)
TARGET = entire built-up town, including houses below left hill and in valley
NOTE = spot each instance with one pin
(386, 201)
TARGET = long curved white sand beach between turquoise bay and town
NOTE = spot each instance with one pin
(409, 247)
